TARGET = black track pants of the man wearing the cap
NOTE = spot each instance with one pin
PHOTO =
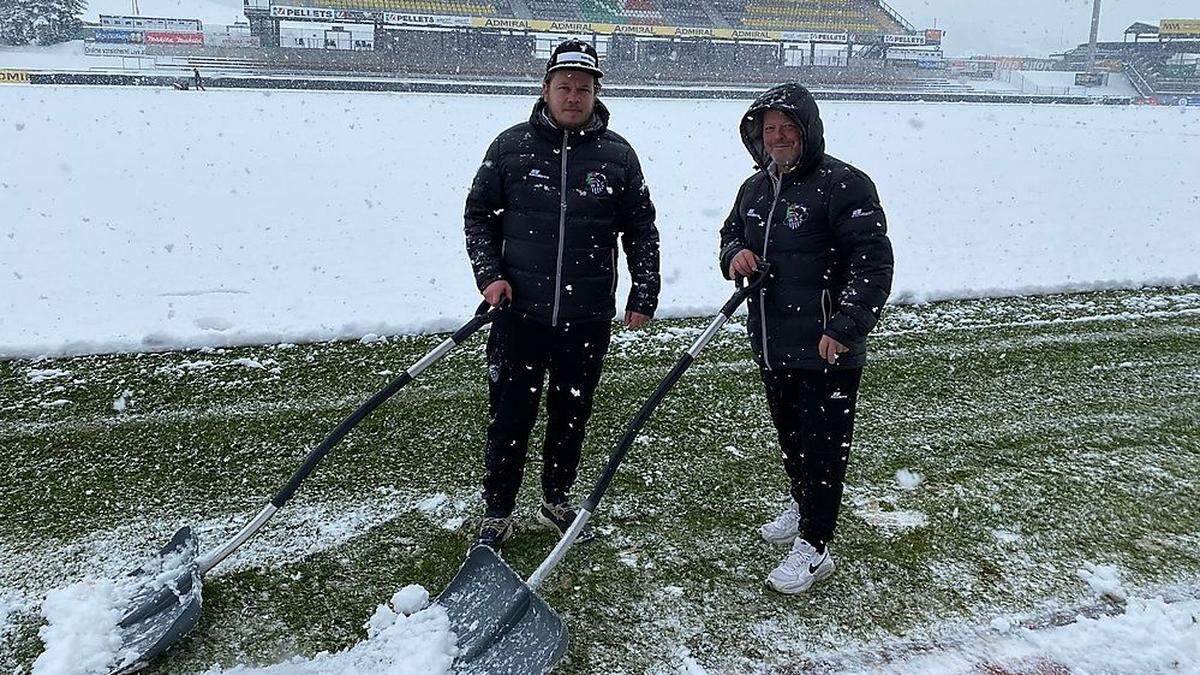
(520, 355)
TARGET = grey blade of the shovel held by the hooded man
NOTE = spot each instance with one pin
(502, 626)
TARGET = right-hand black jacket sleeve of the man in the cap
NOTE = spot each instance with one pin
(640, 240)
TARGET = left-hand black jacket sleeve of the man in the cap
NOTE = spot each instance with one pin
(485, 205)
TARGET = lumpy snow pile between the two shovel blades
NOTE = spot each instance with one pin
(405, 637)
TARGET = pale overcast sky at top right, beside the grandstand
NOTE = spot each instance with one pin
(1033, 28)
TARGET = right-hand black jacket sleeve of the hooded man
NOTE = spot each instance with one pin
(862, 232)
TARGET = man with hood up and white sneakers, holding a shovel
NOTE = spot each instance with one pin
(820, 225)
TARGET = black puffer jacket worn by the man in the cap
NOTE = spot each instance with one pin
(545, 212)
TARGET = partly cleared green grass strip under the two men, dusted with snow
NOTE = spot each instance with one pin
(1018, 462)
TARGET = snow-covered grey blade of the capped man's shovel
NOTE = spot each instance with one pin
(166, 605)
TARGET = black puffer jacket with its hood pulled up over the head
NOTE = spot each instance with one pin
(825, 234)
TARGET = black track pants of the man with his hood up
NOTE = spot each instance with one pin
(814, 414)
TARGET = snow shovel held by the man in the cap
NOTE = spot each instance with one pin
(167, 602)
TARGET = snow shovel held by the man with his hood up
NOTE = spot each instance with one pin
(501, 623)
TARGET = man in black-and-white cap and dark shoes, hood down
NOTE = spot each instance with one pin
(543, 219)
